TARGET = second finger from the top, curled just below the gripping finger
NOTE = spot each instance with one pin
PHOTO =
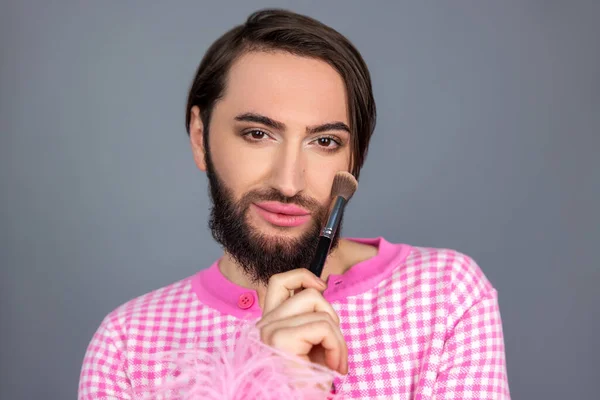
(309, 300)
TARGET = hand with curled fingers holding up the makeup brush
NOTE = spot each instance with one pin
(303, 324)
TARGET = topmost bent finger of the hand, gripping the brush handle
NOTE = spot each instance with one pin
(281, 286)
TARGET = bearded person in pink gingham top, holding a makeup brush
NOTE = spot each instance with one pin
(278, 106)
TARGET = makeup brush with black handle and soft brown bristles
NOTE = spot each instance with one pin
(344, 186)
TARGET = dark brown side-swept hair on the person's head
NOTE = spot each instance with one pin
(281, 30)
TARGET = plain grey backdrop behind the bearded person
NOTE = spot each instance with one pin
(487, 142)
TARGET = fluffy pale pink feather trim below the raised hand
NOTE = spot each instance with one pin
(248, 369)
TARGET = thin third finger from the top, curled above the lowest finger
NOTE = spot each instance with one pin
(298, 320)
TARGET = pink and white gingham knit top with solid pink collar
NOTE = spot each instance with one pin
(420, 323)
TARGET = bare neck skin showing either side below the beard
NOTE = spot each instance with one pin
(347, 254)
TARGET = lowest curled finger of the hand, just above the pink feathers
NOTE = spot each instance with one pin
(299, 340)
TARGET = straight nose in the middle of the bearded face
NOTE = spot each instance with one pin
(288, 170)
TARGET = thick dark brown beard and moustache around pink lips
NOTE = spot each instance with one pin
(258, 255)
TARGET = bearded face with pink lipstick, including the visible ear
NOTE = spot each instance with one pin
(277, 138)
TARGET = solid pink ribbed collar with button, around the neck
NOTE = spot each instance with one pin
(214, 290)
